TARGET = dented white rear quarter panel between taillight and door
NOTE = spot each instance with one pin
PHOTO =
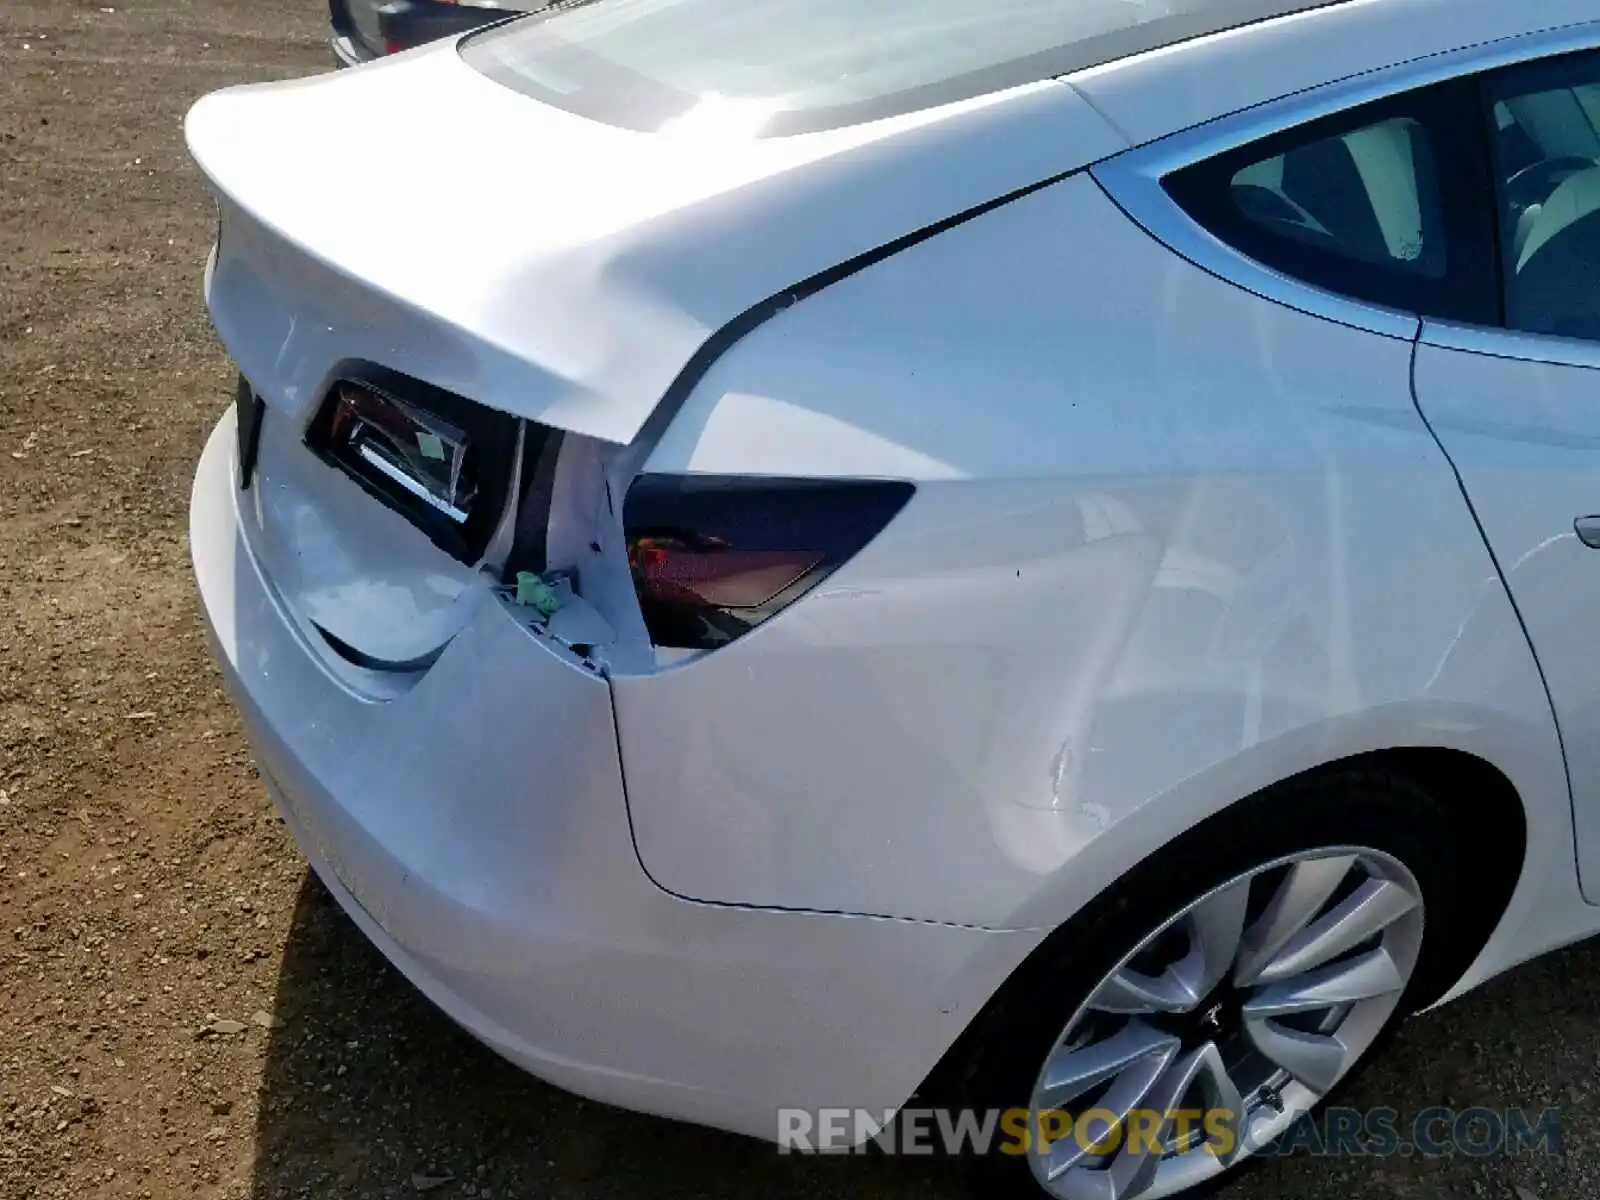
(1172, 543)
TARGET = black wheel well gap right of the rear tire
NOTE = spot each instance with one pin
(1492, 831)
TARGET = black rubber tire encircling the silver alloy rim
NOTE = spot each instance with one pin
(996, 1063)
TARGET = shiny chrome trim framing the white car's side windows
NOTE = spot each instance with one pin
(1134, 180)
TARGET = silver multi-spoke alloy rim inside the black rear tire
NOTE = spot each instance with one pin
(1249, 1007)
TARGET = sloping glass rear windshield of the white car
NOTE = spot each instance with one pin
(794, 66)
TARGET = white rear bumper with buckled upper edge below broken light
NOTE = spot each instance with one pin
(476, 830)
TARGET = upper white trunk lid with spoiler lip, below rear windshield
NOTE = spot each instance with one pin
(418, 215)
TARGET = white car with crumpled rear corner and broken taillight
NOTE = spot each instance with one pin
(1014, 551)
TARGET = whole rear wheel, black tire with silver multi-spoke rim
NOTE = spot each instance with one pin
(1222, 991)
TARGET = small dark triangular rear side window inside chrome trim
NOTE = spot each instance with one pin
(1367, 204)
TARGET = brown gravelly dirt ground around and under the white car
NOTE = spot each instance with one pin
(183, 1012)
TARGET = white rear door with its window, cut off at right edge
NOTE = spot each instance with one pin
(1518, 409)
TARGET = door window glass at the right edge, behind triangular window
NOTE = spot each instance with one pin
(1546, 142)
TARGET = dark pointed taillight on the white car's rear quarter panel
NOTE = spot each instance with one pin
(716, 556)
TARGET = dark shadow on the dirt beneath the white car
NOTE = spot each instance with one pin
(369, 1094)
